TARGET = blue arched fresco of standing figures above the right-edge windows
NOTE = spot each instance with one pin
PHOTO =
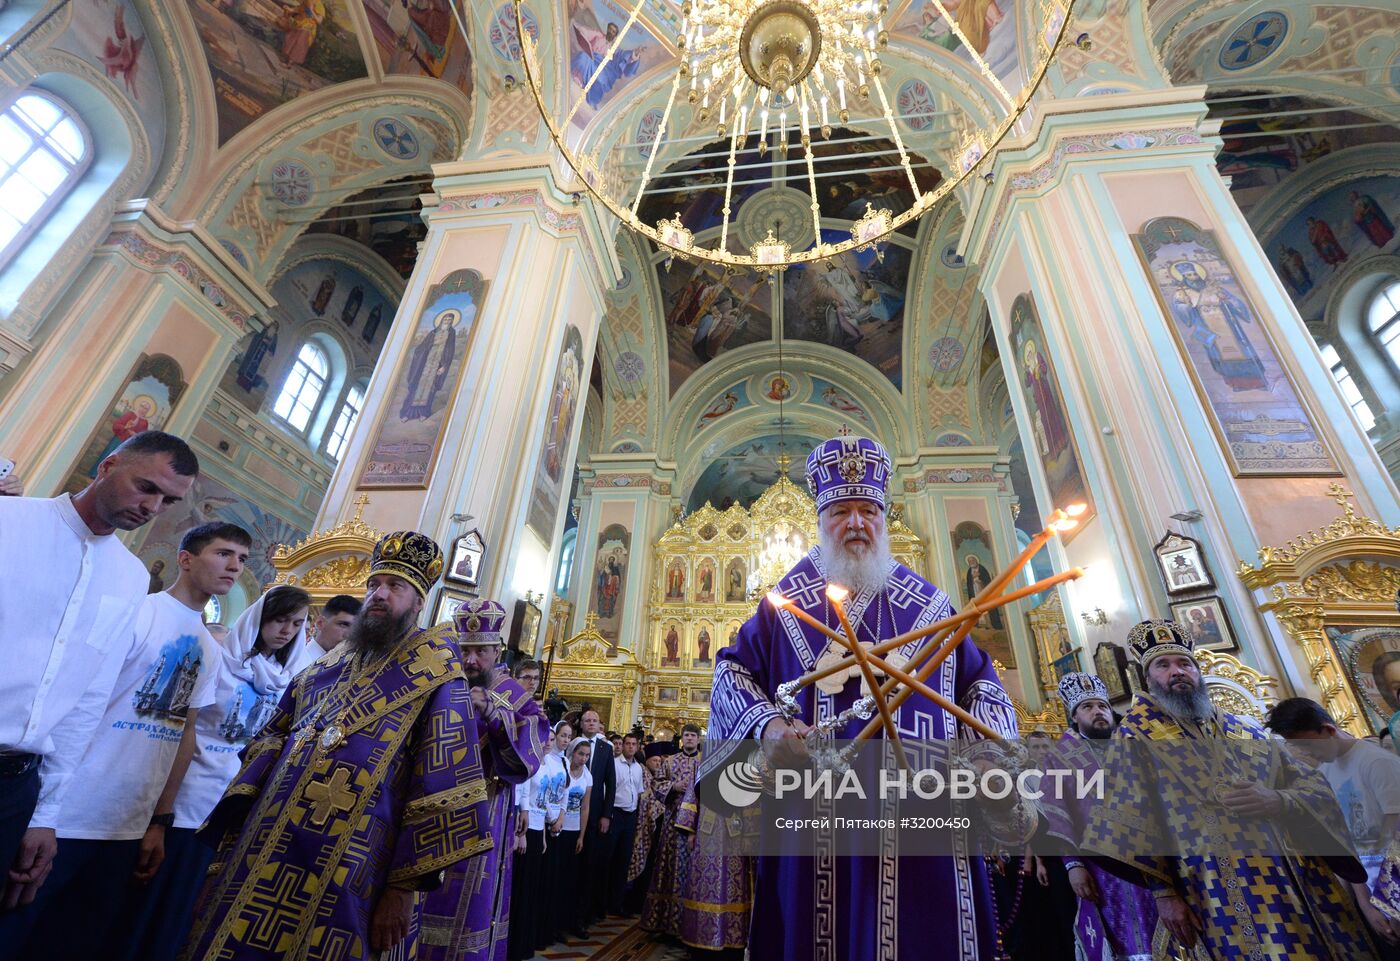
(1349, 223)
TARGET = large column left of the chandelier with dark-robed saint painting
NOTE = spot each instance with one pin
(475, 408)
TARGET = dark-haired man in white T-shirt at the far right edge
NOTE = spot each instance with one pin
(1366, 778)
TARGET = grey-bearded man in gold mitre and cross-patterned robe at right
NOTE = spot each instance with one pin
(1244, 850)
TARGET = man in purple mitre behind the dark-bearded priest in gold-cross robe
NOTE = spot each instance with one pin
(468, 918)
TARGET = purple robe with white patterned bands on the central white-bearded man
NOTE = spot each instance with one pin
(859, 908)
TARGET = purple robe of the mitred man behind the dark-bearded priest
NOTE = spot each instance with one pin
(468, 918)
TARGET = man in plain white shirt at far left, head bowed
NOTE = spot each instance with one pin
(69, 593)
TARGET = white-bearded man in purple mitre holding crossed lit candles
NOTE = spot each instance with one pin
(856, 908)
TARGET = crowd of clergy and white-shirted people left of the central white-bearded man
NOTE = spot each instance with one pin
(339, 785)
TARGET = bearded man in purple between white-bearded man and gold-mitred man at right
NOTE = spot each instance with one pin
(1116, 921)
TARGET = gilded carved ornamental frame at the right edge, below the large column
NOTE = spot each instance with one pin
(1325, 585)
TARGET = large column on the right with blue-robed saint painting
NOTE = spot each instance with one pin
(1157, 365)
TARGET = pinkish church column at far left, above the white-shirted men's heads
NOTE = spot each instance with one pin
(139, 341)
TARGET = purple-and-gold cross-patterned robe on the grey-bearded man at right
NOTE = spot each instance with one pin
(1254, 906)
